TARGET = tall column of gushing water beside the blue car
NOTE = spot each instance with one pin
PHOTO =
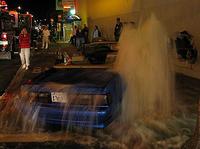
(143, 62)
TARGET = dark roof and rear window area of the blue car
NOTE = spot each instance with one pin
(95, 77)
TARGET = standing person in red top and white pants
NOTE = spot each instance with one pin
(24, 45)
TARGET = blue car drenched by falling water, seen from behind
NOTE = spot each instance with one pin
(76, 97)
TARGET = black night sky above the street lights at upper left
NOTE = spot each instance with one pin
(41, 9)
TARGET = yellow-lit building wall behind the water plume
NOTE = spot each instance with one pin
(175, 15)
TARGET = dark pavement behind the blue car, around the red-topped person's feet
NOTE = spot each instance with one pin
(41, 60)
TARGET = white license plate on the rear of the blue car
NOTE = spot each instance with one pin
(58, 97)
